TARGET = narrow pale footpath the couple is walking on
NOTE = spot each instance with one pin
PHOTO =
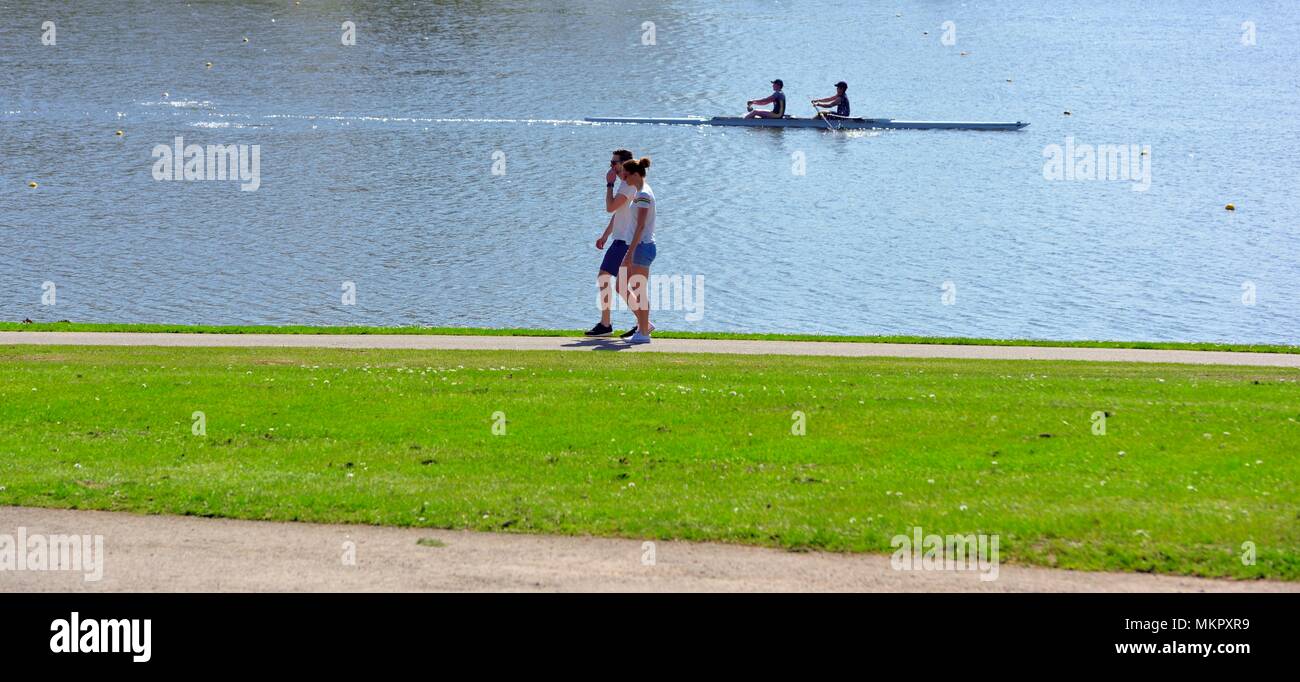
(666, 346)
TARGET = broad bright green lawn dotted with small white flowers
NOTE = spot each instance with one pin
(1195, 462)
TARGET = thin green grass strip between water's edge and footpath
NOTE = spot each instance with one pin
(666, 335)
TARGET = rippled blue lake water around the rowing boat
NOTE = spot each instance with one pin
(378, 164)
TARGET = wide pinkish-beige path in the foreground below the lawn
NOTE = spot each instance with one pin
(188, 554)
